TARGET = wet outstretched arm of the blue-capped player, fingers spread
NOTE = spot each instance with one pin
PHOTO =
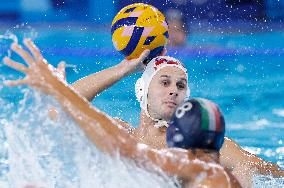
(101, 129)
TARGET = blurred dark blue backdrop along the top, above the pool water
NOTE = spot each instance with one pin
(102, 11)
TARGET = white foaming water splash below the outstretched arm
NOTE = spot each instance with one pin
(57, 154)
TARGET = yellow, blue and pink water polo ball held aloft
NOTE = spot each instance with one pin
(137, 27)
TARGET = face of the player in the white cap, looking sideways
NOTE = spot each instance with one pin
(166, 91)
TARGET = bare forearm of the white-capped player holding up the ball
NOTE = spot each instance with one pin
(92, 85)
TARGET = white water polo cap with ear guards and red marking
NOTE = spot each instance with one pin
(142, 84)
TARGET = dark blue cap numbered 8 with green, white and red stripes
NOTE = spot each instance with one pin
(196, 123)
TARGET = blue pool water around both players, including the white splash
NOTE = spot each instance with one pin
(242, 72)
